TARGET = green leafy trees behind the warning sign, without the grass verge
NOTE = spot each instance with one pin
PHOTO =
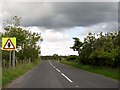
(26, 42)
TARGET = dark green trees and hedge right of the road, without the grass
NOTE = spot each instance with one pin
(100, 50)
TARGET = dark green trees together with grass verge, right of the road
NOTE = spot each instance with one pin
(98, 54)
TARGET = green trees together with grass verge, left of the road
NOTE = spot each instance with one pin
(27, 51)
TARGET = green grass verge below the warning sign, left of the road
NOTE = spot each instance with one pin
(10, 74)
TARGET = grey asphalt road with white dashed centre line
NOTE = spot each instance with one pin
(52, 74)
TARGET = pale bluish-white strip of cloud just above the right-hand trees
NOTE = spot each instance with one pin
(82, 32)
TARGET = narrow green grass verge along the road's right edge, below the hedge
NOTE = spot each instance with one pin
(105, 71)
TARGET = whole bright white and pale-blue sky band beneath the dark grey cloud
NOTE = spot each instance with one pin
(55, 42)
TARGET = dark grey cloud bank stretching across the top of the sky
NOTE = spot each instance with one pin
(64, 15)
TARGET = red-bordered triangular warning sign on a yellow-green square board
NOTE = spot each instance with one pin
(8, 43)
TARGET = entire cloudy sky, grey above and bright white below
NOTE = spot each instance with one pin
(59, 22)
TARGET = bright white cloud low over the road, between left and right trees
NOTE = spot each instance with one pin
(54, 42)
